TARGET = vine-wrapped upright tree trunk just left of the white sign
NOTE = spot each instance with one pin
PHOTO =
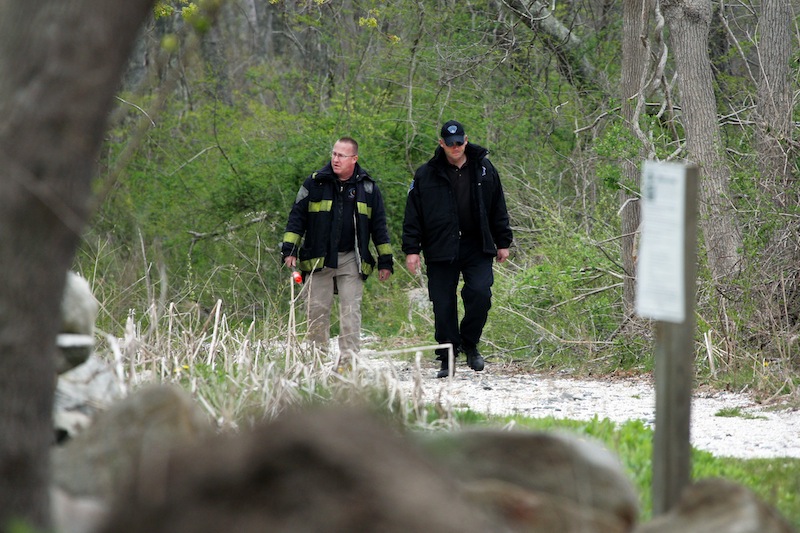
(635, 51)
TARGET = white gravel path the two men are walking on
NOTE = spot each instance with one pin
(503, 390)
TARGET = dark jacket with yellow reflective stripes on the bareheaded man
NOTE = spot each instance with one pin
(318, 209)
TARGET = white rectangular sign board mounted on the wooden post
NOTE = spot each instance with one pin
(660, 293)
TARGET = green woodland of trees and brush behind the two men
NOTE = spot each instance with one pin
(226, 107)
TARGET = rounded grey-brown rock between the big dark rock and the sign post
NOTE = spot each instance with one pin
(583, 478)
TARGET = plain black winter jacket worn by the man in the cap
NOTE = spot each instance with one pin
(431, 217)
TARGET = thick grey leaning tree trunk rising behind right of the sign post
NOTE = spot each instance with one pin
(689, 22)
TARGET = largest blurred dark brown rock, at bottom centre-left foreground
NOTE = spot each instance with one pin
(332, 470)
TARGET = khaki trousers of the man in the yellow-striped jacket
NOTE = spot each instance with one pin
(319, 299)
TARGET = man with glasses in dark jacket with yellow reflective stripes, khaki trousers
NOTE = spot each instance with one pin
(338, 210)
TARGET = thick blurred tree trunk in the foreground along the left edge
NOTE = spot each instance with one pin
(60, 64)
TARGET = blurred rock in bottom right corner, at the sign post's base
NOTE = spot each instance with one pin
(720, 506)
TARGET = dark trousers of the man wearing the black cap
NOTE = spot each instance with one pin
(443, 278)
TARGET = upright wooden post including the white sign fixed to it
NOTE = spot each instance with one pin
(671, 303)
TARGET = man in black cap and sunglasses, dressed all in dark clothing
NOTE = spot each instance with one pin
(456, 216)
